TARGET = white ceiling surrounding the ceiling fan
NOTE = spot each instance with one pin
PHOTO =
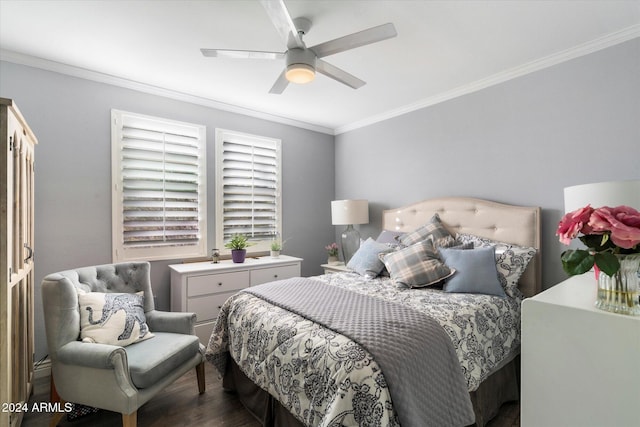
(443, 49)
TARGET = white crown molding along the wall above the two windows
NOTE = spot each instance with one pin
(83, 73)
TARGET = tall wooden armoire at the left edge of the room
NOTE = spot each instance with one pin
(16, 263)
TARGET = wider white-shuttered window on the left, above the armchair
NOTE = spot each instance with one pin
(159, 188)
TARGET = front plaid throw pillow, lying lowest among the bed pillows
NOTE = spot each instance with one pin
(416, 266)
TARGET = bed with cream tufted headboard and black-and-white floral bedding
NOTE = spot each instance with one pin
(289, 370)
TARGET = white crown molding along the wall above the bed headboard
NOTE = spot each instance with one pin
(609, 40)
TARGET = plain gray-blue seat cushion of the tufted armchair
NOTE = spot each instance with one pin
(151, 360)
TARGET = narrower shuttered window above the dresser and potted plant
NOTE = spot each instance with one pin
(248, 181)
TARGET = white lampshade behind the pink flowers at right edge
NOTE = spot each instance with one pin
(613, 193)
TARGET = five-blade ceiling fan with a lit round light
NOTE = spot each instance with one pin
(302, 62)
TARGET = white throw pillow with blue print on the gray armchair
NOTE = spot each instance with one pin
(112, 318)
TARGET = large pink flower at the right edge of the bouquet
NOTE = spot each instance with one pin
(623, 222)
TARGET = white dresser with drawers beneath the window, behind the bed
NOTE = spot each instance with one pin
(202, 287)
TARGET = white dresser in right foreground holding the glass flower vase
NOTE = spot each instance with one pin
(580, 365)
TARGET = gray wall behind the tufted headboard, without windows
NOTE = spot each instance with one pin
(519, 142)
